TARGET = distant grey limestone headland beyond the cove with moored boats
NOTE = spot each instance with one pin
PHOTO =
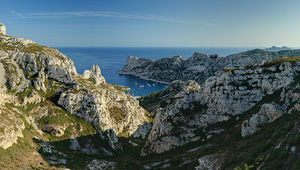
(199, 67)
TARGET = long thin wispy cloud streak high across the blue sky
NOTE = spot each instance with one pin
(105, 14)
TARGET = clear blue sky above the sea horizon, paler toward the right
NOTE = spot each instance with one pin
(154, 23)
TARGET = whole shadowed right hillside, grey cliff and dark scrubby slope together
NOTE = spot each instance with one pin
(233, 118)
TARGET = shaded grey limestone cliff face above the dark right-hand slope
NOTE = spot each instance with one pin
(185, 117)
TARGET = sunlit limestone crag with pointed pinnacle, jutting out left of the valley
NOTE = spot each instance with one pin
(103, 105)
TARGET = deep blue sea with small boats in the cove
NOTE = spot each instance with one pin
(112, 59)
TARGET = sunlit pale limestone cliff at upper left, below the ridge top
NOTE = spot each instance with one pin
(34, 62)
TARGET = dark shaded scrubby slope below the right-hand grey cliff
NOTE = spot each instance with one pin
(274, 146)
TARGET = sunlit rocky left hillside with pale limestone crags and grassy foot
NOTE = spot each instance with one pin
(56, 116)
